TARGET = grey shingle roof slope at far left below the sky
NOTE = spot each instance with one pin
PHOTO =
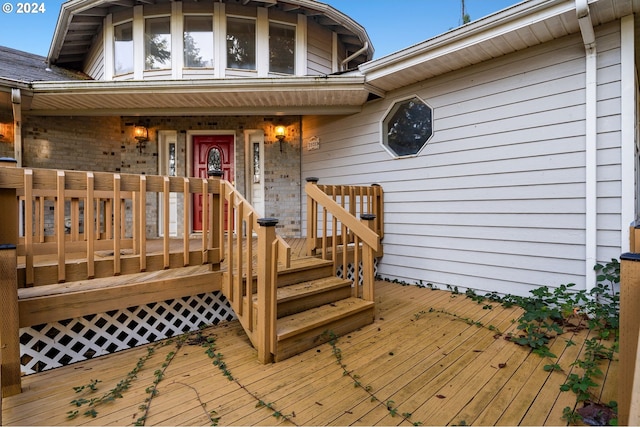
(28, 67)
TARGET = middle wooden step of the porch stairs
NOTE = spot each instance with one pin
(303, 296)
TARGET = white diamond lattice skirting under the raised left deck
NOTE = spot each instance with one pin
(57, 344)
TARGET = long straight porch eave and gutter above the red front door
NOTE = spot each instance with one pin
(313, 95)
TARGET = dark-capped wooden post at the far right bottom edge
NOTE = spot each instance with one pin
(629, 368)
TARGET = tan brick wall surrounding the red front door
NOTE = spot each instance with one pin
(107, 144)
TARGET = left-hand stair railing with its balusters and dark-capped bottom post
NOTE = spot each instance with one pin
(248, 275)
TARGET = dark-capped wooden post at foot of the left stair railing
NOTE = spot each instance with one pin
(267, 272)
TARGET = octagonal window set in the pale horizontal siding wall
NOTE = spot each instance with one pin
(407, 127)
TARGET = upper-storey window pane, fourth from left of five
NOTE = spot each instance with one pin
(241, 43)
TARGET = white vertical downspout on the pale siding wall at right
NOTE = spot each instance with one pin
(591, 181)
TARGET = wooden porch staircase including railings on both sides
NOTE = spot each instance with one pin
(285, 305)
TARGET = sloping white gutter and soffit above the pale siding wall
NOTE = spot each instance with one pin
(516, 28)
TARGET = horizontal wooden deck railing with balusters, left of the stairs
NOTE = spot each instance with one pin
(74, 215)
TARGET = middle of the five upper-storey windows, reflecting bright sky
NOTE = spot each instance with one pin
(198, 41)
